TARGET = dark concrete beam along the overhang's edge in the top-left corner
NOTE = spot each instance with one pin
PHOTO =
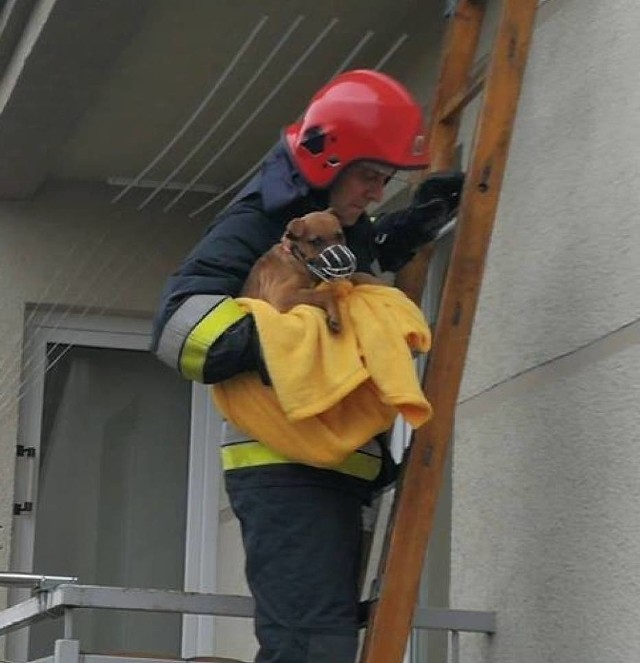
(55, 70)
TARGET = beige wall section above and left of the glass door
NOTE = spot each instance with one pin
(70, 247)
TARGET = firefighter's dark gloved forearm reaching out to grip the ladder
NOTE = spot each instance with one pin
(399, 235)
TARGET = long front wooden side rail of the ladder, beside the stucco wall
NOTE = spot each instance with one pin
(391, 619)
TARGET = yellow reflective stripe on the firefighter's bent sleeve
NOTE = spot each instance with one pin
(196, 346)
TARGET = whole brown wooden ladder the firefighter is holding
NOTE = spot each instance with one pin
(415, 502)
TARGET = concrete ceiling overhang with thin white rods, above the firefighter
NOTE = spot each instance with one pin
(97, 89)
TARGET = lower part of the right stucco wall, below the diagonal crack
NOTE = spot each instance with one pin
(546, 502)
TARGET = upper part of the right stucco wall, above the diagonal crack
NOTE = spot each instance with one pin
(563, 266)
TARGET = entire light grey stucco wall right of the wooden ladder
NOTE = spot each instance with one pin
(546, 504)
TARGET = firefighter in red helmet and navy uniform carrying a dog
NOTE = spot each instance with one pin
(301, 525)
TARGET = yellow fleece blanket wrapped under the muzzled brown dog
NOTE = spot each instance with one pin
(331, 392)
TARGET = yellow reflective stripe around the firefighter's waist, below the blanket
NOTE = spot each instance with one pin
(255, 454)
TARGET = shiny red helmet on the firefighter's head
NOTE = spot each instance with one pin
(359, 115)
